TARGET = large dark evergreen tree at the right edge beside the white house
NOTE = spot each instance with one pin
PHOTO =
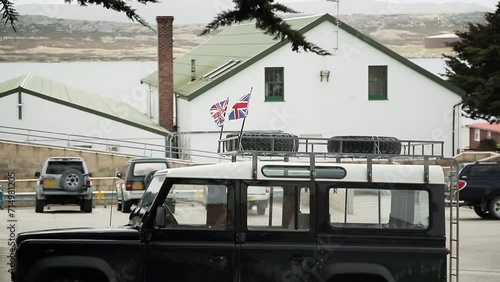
(476, 68)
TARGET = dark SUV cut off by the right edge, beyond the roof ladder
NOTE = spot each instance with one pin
(480, 188)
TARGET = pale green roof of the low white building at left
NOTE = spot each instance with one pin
(79, 99)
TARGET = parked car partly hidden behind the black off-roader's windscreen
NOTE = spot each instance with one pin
(134, 178)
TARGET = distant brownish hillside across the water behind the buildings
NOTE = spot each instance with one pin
(40, 38)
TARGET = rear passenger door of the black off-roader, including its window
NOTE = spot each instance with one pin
(278, 245)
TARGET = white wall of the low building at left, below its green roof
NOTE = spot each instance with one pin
(43, 115)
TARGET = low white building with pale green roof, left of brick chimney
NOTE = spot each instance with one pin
(40, 111)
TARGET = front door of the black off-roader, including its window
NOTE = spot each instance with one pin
(197, 241)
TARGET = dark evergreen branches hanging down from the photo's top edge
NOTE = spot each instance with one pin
(264, 12)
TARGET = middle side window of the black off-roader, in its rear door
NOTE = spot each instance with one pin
(278, 208)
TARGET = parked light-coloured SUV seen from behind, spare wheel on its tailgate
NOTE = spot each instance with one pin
(64, 180)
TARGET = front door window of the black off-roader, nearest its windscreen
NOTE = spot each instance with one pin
(198, 207)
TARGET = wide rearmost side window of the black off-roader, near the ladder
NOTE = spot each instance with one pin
(378, 208)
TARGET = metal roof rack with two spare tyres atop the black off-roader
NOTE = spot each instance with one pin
(368, 148)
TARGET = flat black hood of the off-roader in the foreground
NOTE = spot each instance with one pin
(124, 232)
